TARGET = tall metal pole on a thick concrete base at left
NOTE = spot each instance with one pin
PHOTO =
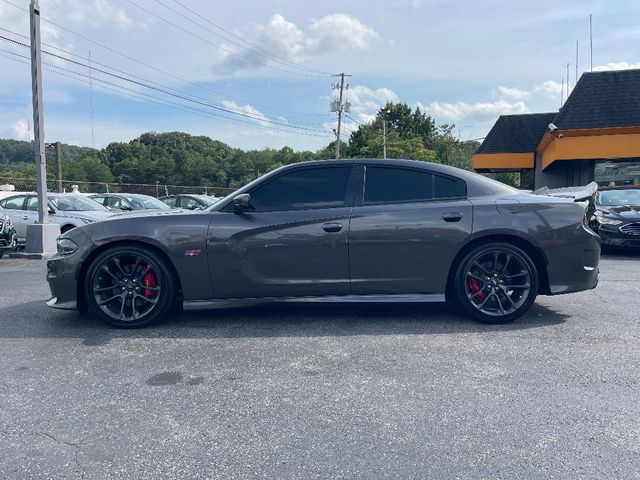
(41, 237)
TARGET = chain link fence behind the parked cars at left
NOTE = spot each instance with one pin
(154, 190)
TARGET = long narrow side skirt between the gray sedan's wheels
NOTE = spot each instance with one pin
(248, 302)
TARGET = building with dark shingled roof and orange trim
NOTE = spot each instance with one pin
(594, 136)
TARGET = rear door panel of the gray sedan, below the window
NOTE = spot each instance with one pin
(406, 247)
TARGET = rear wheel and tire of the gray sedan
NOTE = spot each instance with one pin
(496, 283)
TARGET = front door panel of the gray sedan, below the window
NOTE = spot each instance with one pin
(286, 253)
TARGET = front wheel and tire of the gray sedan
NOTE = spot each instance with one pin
(129, 287)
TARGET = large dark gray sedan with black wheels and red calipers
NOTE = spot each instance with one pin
(329, 231)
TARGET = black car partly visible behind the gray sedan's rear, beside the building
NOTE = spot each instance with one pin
(617, 216)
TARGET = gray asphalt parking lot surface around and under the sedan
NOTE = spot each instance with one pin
(323, 392)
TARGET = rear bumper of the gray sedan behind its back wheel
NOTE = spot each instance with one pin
(572, 266)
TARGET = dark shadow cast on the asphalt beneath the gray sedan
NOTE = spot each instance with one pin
(268, 321)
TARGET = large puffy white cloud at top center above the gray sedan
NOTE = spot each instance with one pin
(332, 34)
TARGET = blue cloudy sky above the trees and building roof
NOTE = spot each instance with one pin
(257, 73)
